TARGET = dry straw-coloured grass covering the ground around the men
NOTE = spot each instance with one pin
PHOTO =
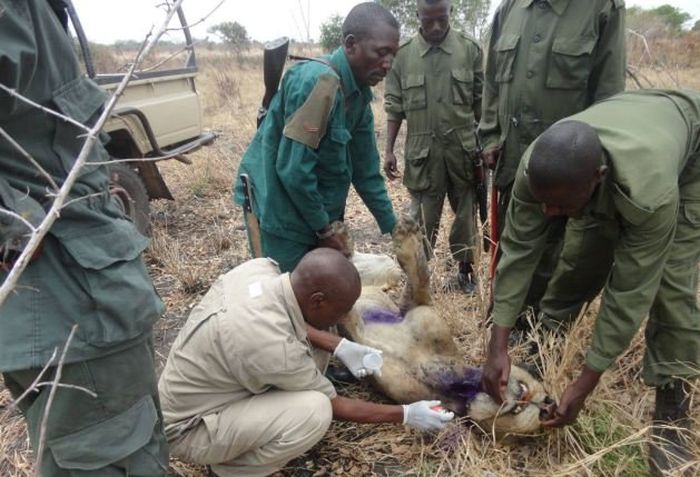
(200, 235)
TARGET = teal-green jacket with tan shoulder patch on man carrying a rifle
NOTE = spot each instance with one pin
(317, 139)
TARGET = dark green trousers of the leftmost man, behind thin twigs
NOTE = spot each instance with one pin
(117, 433)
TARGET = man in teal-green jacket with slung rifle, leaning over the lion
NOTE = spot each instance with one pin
(318, 138)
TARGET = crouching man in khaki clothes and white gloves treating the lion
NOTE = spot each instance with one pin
(242, 391)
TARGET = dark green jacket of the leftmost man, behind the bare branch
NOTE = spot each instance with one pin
(90, 271)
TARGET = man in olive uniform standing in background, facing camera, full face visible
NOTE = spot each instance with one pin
(435, 85)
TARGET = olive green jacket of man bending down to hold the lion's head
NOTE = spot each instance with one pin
(649, 137)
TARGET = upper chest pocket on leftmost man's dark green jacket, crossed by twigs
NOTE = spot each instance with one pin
(81, 100)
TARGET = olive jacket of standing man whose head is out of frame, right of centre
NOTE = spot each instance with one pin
(546, 60)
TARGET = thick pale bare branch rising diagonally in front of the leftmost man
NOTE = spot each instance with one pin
(92, 137)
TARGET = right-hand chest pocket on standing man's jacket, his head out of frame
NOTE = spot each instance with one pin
(570, 63)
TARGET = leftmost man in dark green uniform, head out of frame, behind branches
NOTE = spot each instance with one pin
(89, 271)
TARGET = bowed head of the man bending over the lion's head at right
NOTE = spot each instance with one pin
(565, 166)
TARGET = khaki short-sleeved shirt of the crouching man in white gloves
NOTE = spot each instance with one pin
(245, 337)
